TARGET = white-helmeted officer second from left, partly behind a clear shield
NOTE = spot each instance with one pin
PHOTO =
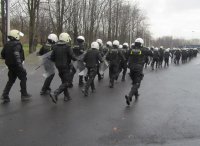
(48, 65)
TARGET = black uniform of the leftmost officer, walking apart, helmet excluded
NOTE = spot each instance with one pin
(13, 54)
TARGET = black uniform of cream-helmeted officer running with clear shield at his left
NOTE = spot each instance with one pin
(62, 55)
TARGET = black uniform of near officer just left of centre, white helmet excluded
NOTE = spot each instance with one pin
(92, 59)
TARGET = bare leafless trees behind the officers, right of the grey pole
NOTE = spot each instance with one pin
(105, 19)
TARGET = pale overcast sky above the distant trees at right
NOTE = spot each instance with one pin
(177, 18)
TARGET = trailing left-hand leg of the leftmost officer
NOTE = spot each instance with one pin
(11, 80)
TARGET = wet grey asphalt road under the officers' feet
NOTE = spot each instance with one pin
(167, 113)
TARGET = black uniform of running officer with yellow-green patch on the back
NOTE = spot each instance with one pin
(136, 64)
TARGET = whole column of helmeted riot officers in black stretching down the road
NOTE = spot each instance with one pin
(87, 62)
